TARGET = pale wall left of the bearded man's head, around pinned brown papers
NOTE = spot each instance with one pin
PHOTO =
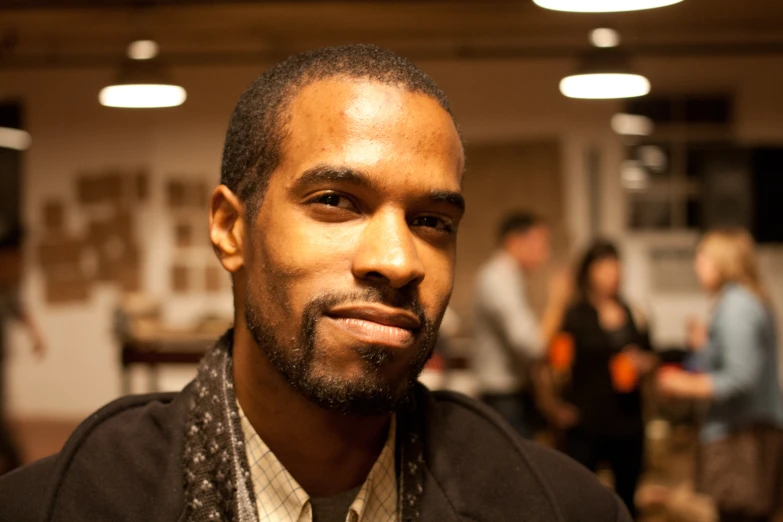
(72, 134)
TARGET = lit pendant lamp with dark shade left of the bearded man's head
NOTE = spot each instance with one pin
(143, 82)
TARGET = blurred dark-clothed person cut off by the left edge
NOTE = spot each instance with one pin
(11, 309)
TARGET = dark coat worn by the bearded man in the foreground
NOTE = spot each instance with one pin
(125, 463)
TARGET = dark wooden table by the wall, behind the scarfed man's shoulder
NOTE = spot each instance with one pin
(162, 347)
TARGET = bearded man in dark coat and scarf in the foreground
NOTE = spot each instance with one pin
(337, 218)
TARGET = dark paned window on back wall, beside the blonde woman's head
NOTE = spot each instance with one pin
(666, 174)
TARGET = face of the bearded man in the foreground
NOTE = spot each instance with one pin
(349, 262)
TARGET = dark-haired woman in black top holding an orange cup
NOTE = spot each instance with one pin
(608, 422)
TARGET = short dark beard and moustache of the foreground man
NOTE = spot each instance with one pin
(299, 358)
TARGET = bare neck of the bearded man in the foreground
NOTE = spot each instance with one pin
(325, 452)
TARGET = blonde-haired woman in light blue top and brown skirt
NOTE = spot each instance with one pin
(741, 457)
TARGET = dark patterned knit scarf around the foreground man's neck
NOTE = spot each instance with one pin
(218, 484)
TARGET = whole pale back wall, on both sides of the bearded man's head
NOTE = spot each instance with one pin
(492, 100)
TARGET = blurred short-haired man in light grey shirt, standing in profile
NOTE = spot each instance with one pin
(509, 338)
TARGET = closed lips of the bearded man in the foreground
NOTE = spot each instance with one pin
(377, 324)
